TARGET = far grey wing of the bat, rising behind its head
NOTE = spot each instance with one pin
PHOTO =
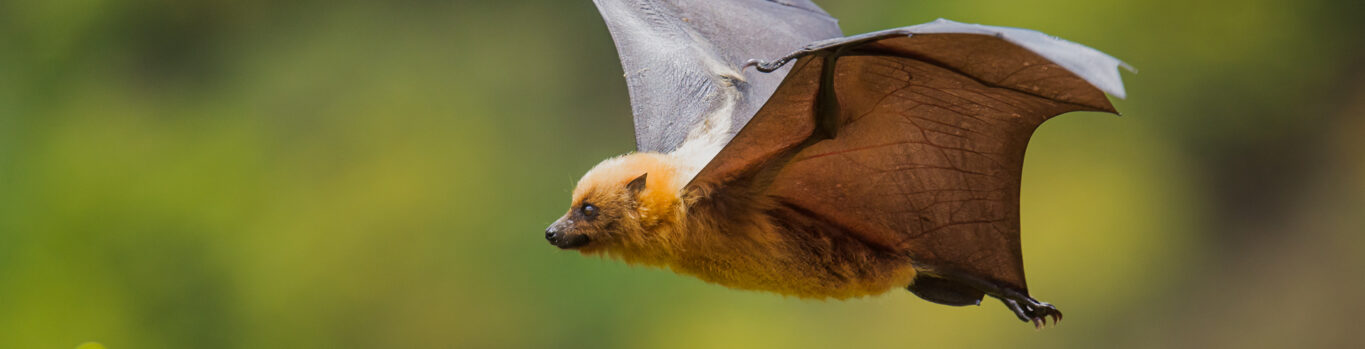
(683, 61)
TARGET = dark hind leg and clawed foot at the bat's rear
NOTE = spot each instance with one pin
(964, 290)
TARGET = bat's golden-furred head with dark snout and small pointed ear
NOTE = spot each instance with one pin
(620, 207)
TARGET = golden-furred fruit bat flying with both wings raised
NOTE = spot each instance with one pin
(777, 155)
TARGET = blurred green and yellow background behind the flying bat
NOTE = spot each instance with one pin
(379, 175)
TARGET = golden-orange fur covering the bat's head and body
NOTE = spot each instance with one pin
(750, 243)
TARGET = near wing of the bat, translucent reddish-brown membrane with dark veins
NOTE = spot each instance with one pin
(915, 141)
